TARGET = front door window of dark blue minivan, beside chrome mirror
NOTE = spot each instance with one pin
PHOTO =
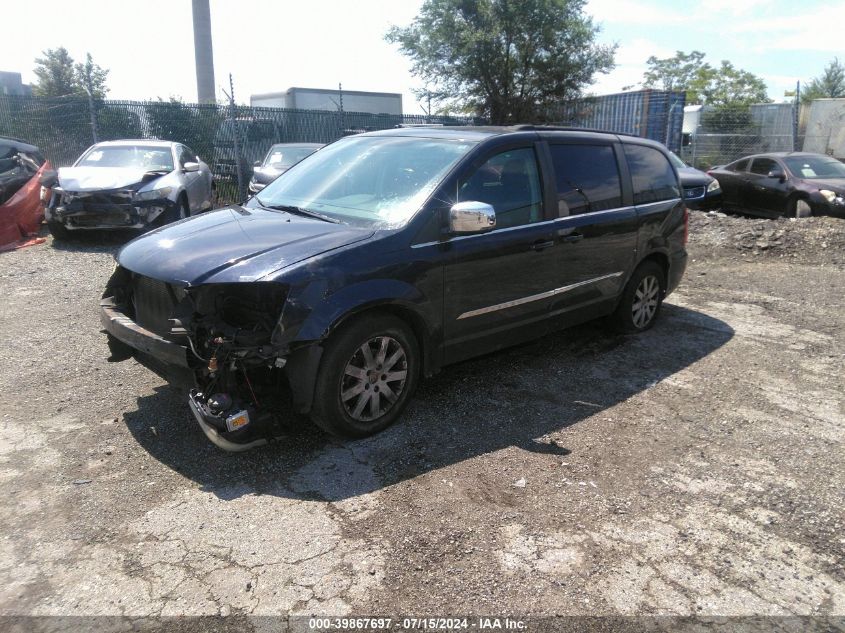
(509, 182)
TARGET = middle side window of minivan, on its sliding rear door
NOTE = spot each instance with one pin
(587, 178)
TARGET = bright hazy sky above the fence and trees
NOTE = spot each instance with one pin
(272, 45)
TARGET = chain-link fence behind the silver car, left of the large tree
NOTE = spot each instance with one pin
(64, 127)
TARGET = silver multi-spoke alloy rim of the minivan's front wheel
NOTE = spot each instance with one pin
(374, 378)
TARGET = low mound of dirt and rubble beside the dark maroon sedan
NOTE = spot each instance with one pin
(816, 239)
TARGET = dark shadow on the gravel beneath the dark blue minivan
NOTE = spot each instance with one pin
(509, 399)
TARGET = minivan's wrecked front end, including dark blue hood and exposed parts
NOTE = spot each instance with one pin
(217, 304)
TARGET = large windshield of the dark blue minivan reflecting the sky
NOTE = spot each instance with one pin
(371, 181)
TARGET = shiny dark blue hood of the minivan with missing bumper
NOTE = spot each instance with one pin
(233, 244)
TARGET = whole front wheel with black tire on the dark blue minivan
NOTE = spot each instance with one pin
(346, 372)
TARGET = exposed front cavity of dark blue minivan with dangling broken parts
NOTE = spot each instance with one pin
(230, 334)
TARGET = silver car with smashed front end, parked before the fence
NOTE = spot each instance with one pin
(129, 184)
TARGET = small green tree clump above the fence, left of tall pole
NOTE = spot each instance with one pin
(59, 76)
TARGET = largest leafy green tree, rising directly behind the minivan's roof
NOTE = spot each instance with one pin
(508, 61)
